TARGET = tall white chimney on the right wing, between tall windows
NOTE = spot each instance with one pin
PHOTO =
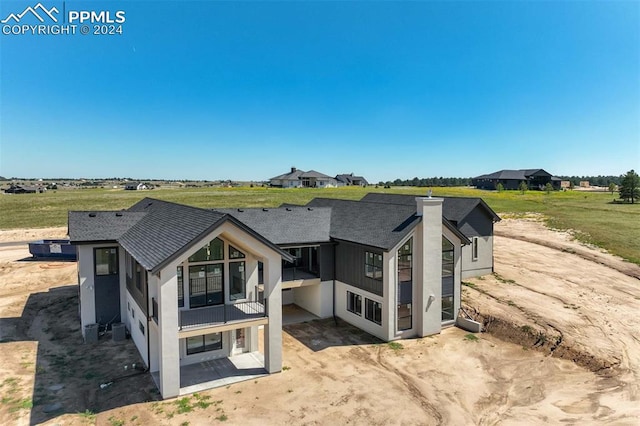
(429, 270)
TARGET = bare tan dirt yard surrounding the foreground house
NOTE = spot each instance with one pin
(562, 347)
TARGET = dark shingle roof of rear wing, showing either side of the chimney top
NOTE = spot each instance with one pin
(453, 208)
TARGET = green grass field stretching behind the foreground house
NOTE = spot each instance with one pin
(598, 221)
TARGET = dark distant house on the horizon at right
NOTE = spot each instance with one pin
(511, 179)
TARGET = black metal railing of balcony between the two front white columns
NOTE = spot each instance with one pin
(221, 314)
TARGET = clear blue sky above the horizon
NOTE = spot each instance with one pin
(245, 90)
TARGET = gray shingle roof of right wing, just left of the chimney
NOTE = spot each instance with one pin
(373, 224)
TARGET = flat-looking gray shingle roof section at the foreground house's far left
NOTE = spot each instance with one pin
(85, 227)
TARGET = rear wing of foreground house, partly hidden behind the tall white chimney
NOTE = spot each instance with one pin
(471, 216)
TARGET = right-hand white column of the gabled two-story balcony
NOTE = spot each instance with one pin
(273, 298)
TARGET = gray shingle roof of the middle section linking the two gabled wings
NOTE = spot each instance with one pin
(287, 225)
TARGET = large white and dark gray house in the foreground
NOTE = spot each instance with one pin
(192, 285)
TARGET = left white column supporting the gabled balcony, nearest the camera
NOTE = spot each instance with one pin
(168, 343)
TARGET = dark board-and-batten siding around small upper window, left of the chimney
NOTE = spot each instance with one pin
(350, 267)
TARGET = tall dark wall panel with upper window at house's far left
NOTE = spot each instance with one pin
(107, 286)
